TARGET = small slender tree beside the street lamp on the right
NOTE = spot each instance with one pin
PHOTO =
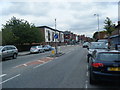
(109, 26)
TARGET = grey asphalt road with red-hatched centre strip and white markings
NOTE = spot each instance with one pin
(40, 71)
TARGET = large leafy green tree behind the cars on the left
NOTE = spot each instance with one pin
(19, 31)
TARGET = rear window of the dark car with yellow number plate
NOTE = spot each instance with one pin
(108, 57)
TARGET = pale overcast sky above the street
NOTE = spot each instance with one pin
(76, 16)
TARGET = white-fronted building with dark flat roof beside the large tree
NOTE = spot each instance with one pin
(48, 35)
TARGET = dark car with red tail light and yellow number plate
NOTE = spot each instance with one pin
(105, 66)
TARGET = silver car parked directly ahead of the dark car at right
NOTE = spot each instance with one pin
(96, 47)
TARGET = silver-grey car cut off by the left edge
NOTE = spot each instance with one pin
(8, 51)
